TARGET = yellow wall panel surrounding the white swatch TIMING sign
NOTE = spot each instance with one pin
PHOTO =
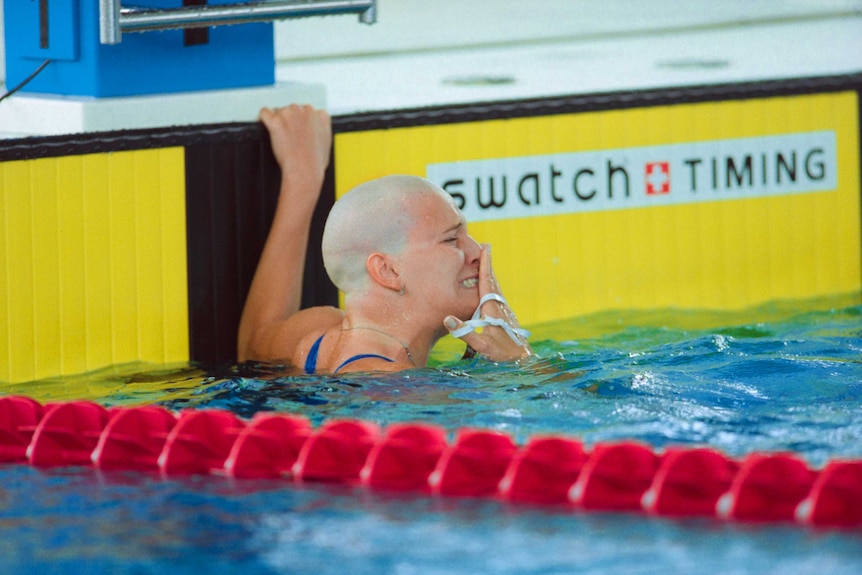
(720, 253)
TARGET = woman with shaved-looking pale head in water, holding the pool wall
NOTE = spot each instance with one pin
(398, 249)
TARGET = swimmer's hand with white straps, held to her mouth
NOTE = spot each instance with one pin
(502, 339)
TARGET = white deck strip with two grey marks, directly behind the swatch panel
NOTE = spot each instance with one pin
(703, 56)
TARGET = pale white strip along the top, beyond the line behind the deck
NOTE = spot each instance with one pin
(416, 25)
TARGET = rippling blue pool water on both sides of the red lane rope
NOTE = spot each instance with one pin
(783, 377)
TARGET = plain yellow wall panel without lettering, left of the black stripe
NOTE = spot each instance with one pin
(92, 262)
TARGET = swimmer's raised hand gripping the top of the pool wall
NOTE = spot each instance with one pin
(301, 139)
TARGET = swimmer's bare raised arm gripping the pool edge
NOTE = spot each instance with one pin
(301, 139)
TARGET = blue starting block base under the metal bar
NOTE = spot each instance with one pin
(66, 32)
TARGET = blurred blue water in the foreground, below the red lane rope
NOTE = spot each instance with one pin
(86, 523)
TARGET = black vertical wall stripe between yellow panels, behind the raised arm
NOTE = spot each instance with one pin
(231, 194)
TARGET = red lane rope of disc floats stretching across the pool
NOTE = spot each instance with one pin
(621, 476)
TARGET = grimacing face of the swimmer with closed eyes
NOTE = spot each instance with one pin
(441, 261)
